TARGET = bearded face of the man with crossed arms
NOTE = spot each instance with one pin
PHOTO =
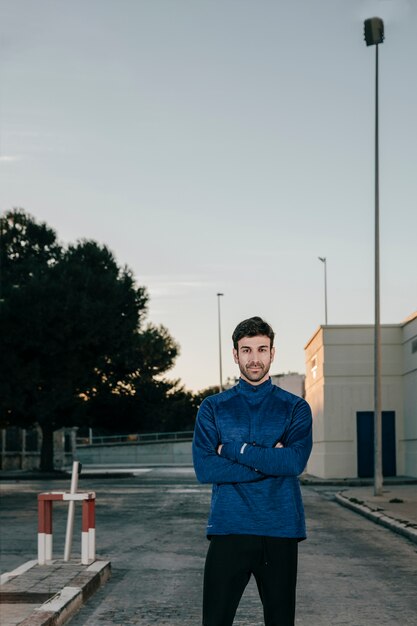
(254, 356)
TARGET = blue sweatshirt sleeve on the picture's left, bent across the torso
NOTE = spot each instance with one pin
(209, 466)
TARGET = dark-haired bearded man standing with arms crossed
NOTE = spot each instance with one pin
(251, 442)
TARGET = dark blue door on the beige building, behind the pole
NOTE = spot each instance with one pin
(365, 437)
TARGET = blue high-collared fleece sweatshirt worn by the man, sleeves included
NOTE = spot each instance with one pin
(256, 490)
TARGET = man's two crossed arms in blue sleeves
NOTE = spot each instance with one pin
(231, 462)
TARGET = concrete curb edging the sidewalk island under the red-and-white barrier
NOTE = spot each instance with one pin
(57, 610)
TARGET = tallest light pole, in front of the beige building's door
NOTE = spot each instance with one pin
(374, 35)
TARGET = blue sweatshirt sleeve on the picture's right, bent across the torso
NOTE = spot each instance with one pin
(287, 461)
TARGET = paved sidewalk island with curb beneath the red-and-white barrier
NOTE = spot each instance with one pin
(47, 595)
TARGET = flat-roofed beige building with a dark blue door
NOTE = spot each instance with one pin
(340, 389)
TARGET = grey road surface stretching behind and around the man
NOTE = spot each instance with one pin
(351, 571)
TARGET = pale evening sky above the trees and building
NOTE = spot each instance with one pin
(220, 146)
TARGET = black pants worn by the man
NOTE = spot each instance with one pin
(230, 562)
